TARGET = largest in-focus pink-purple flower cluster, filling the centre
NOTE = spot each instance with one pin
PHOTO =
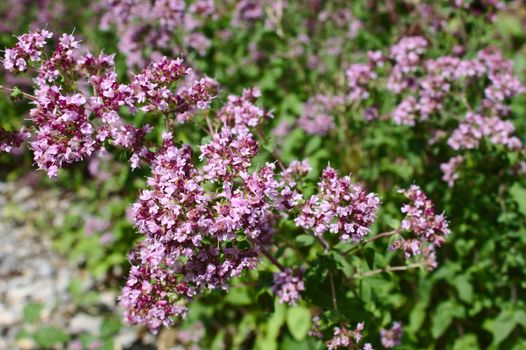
(193, 229)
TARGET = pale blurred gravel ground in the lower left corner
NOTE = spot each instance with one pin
(32, 272)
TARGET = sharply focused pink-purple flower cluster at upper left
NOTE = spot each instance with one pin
(71, 127)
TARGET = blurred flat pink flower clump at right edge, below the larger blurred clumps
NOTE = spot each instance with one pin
(476, 127)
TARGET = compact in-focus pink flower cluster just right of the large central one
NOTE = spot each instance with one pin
(340, 207)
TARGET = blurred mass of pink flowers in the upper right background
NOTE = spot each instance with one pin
(425, 86)
